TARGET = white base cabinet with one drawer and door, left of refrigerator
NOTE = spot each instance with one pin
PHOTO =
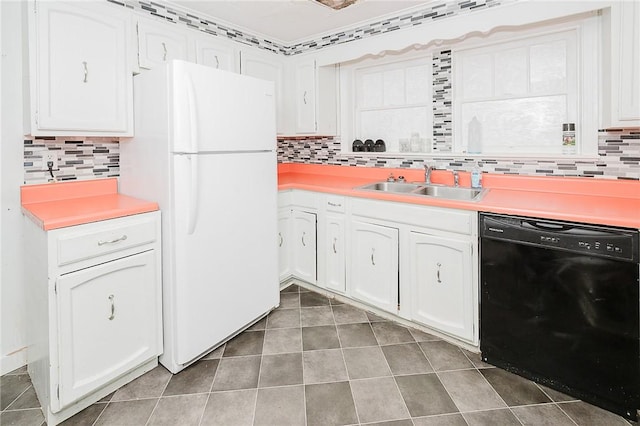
(95, 311)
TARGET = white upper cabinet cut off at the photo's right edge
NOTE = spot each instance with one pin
(621, 100)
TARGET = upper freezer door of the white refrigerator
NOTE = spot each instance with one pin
(215, 110)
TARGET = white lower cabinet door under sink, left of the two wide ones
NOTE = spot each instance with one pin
(374, 265)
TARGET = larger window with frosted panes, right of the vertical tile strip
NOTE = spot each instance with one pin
(512, 97)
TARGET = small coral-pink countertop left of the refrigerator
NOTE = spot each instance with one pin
(57, 205)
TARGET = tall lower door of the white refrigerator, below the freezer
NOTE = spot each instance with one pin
(225, 233)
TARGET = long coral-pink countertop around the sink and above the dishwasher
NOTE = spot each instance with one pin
(599, 201)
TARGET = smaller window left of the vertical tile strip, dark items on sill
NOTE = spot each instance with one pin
(391, 100)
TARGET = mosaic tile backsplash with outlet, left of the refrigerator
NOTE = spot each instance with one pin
(78, 158)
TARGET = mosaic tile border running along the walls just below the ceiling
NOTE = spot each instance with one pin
(436, 11)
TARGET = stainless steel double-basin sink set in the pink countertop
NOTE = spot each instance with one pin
(427, 190)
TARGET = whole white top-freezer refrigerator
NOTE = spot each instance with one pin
(205, 150)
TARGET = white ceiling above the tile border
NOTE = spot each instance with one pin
(291, 21)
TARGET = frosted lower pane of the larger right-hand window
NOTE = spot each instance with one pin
(527, 125)
